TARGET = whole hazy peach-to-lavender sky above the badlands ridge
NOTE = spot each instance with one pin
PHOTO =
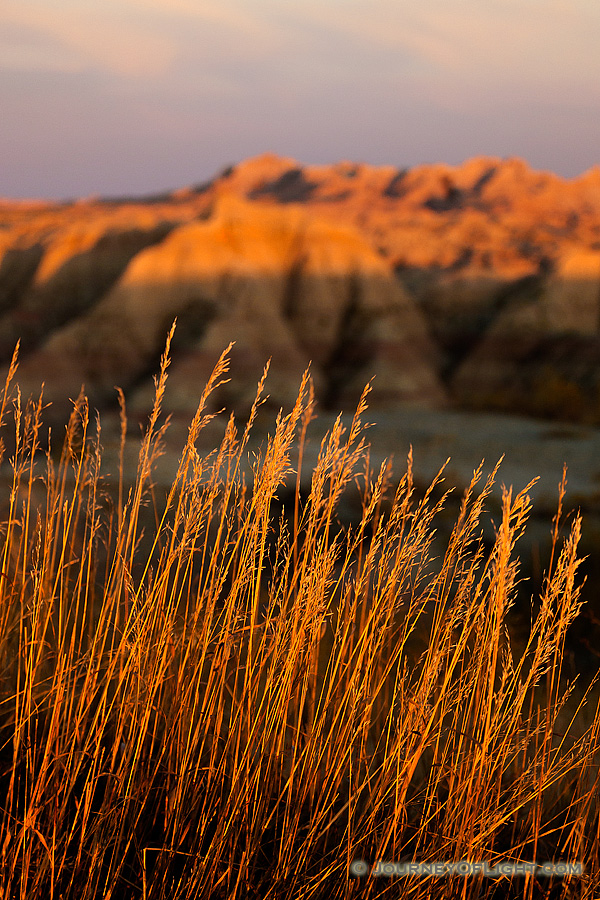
(132, 97)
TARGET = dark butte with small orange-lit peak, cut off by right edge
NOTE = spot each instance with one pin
(541, 354)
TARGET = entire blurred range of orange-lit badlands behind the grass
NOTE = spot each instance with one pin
(476, 285)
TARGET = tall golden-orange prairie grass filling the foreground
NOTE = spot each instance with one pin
(242, 704)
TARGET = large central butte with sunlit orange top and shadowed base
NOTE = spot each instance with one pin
(279, 283)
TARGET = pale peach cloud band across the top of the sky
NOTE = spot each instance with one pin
(459, 47)
